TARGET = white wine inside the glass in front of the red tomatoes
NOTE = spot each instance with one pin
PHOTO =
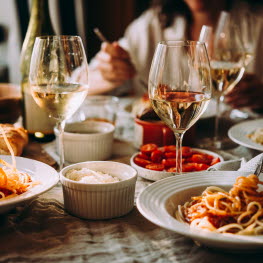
(180, 109)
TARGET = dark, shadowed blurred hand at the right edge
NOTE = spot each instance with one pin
(247, 93)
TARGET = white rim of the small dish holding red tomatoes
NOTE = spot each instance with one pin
(158, 175)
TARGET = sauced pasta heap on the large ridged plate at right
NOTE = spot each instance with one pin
(239, 211)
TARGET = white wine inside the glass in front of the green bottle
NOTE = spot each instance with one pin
(60, 101)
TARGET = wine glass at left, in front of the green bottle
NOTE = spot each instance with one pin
(58, 78)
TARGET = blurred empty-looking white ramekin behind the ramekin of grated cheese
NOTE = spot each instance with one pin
(88, 141)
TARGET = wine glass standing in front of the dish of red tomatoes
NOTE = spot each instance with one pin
(180, 86)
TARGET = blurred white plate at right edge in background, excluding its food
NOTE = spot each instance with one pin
(238, 133)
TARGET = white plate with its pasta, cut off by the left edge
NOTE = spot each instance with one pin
(22, 179)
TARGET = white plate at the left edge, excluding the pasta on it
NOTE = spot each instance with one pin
(39, 172)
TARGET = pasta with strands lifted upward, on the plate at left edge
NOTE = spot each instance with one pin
(12, 182)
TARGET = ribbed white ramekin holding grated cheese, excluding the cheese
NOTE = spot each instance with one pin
(100, 201)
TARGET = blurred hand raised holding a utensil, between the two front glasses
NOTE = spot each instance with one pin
(114, 63)
